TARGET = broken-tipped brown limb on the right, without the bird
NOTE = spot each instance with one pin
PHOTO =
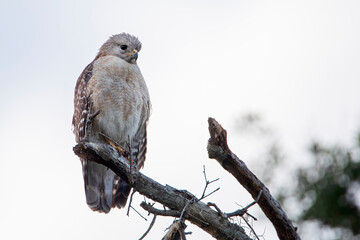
(218, 149)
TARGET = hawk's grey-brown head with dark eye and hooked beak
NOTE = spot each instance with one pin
(122, 45)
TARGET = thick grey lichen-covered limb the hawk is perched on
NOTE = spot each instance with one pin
(197, 212)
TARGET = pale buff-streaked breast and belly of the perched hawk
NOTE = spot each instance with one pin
(119, 93)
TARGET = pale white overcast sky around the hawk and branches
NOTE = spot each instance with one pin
(297, 63)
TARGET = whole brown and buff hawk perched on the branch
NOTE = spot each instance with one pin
(111, 91)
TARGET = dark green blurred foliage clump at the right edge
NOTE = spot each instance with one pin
(330, 187)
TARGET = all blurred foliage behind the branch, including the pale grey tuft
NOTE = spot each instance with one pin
(327, 191)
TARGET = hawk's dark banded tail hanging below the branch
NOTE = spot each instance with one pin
(99, 185)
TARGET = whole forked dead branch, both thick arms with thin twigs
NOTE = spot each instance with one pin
(183, 204)
